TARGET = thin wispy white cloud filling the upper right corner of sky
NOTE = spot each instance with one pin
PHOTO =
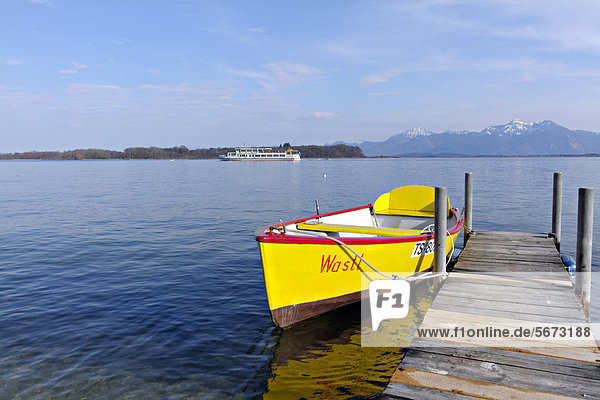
(555, 24)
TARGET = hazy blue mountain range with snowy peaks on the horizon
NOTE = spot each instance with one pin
(515, 138)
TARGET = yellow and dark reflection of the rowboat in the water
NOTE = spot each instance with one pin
(322, 358)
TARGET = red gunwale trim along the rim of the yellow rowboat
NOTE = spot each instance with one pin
(265, 234)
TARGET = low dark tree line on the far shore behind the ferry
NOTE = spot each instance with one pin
(178, 152)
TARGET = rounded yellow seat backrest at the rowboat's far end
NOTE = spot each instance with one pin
(413, 200)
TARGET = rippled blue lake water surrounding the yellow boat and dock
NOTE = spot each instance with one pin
(142, 280)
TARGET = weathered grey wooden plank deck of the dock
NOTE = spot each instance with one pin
(502, 279)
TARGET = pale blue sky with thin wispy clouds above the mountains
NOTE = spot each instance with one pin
(114, 74)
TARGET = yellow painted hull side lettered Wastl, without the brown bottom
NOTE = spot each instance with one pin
(301, 273)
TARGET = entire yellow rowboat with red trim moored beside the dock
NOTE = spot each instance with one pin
(315, 264)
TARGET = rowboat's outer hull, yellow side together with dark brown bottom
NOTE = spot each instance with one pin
(303, 280)
